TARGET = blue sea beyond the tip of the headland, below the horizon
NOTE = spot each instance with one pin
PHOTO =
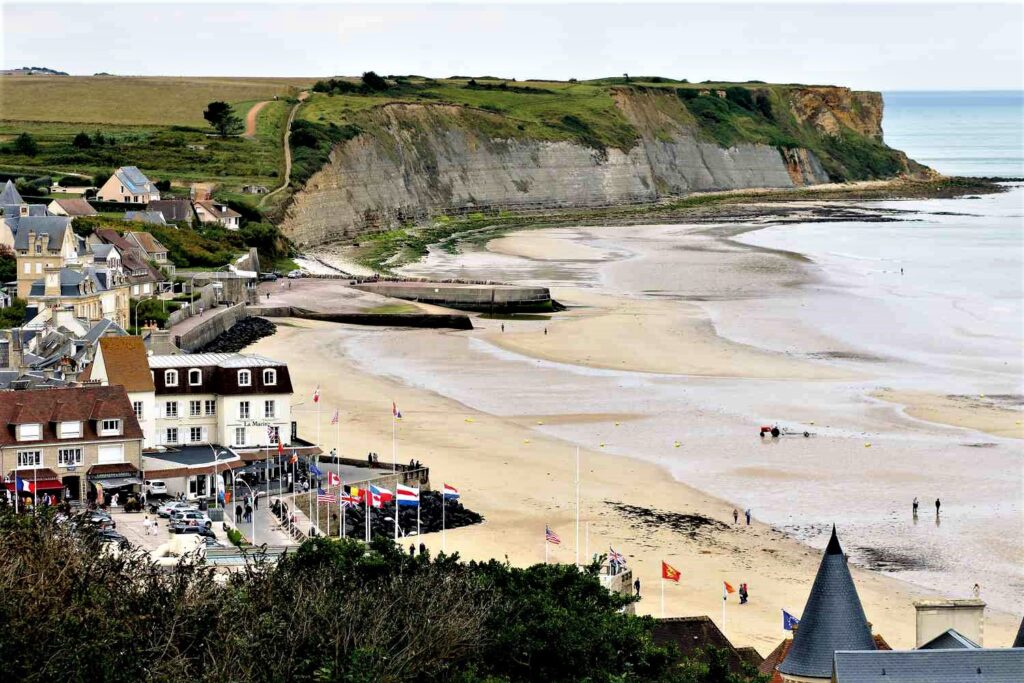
(977, 134)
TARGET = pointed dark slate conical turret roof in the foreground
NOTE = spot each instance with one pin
(833, 620)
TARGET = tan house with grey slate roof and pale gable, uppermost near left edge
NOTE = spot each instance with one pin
(40, 243)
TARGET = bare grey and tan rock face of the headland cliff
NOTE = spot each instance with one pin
(415, 161)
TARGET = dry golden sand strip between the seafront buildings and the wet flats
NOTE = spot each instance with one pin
(521, 479)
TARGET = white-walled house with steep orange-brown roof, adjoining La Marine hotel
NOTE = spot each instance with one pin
(122, 362)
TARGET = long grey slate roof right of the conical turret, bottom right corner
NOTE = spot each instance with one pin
(957, 666)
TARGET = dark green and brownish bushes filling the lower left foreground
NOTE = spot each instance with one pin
(329, 612)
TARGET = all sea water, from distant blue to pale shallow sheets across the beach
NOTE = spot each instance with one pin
(931, 303)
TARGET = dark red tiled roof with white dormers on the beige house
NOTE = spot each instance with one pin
(49, 407)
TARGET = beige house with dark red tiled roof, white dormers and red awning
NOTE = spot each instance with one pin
(83, 442)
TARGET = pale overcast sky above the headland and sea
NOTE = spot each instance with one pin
(905, 47)
